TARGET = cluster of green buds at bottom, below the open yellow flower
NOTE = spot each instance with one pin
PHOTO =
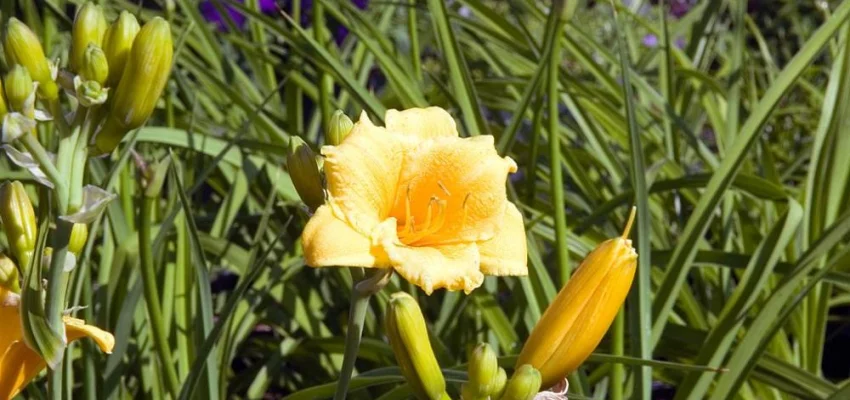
(408, 337)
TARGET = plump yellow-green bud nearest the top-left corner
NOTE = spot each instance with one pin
(23, 48)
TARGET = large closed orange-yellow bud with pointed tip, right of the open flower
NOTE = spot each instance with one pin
(574, 324)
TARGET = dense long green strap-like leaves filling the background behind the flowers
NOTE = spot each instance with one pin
(733, 147)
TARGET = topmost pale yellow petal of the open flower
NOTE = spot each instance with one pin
(425, 123)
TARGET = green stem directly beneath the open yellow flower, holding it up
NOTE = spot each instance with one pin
(360, 296)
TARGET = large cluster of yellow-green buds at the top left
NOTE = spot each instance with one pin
(122, 67)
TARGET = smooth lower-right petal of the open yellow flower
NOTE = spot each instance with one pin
(506, 253)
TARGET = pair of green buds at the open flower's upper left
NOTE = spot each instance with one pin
(305, 167)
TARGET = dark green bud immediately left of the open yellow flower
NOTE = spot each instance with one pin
(304, 172)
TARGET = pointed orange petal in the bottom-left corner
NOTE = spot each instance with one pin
(18, 366)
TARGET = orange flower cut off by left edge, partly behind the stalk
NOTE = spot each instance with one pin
(18, 363)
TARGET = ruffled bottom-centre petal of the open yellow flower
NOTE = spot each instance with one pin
(452, 267)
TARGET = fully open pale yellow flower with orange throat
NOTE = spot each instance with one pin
(415, 197)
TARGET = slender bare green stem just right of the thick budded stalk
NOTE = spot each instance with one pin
(160, 338)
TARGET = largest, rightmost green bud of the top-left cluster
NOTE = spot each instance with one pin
(147, 69)
